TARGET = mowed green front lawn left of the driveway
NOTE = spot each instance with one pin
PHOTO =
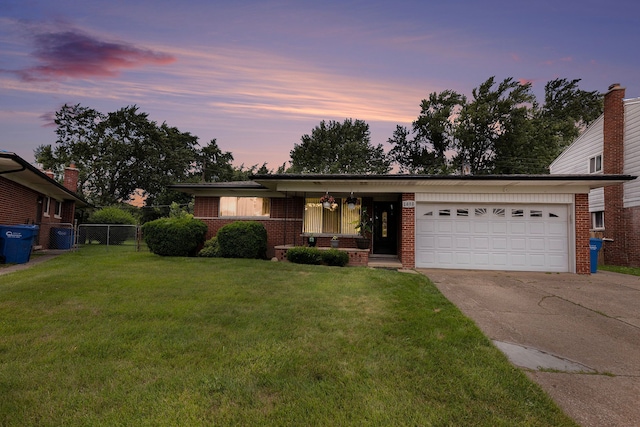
(130, 338)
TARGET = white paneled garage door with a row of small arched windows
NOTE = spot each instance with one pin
(492, 237)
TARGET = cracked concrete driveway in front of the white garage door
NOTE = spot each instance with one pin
(577, 336)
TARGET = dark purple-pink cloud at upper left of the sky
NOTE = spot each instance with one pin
(74, 54)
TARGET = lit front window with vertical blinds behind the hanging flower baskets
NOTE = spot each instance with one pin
(318, 220)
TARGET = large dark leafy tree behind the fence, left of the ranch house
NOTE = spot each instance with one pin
(119, 152)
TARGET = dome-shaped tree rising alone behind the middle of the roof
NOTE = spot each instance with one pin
(339, 148)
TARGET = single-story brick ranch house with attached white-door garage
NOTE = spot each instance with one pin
(495, 222)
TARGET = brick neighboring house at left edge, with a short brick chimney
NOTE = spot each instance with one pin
(30, 196)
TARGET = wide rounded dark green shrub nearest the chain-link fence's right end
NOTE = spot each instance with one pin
(174, 236)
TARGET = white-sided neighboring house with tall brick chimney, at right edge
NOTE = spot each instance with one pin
(611, 145)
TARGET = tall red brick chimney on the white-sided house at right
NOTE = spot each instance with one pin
(613, 163)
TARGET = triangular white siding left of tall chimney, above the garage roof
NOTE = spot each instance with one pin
(575, 159)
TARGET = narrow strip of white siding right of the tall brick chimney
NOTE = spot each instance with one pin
(632, 151)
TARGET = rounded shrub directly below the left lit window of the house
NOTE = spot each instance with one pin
(243, 239)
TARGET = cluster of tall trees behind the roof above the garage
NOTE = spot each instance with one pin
(502, 129)
